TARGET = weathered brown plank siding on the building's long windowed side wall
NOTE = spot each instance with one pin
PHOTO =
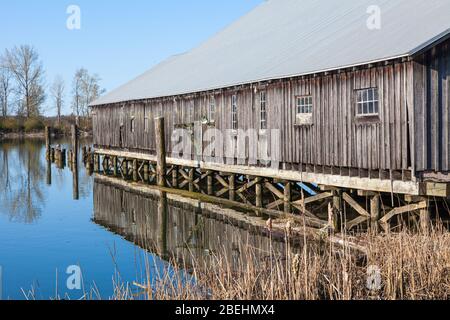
(335, 139)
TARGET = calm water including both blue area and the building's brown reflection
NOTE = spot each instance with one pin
(43, 230)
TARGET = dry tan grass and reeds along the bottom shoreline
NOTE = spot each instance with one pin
(411, 266)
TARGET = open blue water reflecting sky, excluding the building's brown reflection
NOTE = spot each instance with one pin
(43, 230)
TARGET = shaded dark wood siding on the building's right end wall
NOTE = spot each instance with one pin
(432, 100)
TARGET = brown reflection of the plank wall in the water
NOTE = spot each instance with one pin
(176, 227)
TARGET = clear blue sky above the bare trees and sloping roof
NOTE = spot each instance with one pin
(118, 39)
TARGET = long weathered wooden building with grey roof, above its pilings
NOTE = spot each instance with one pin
(357, 106)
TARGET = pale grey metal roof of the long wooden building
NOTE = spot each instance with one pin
(283, 38)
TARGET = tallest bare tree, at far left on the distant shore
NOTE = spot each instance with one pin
(25, 66)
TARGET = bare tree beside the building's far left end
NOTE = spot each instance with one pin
(85, 89)
